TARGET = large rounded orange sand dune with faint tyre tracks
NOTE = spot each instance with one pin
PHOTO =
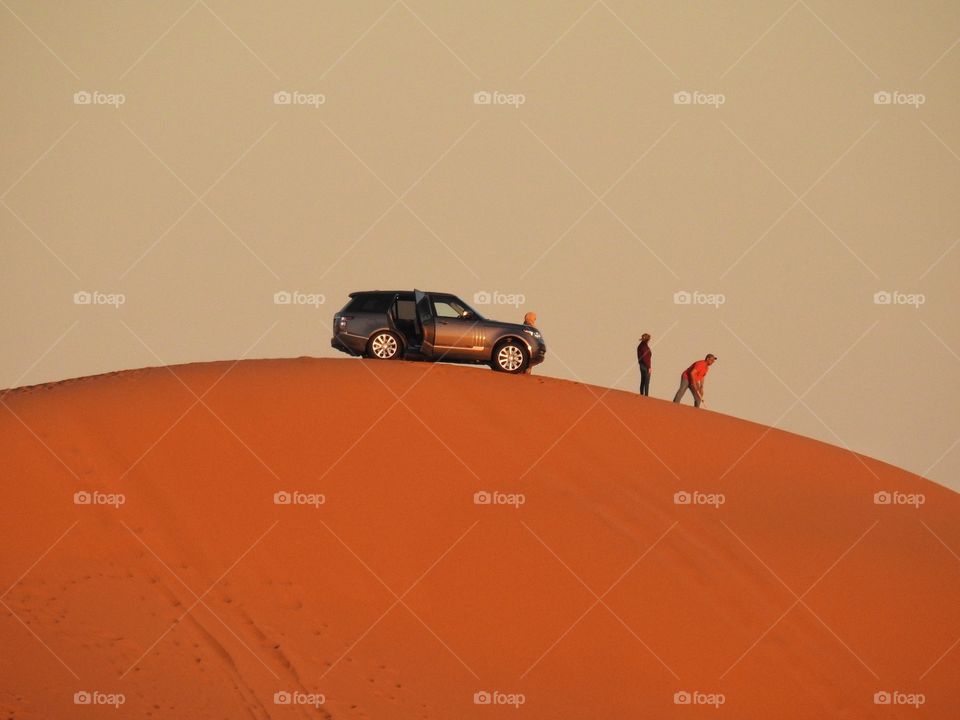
(582, 590)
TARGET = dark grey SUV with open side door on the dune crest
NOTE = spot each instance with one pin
(391, 324)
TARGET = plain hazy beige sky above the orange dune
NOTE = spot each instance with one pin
(780, 191)
